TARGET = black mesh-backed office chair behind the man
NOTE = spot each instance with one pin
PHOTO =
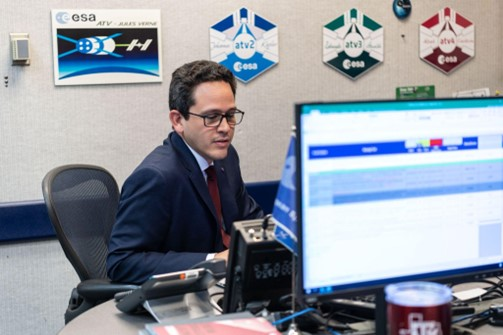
(82, 202)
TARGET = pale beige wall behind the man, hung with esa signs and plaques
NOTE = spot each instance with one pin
(115, 126)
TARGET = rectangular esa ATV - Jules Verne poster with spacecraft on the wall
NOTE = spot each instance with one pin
(106, 46)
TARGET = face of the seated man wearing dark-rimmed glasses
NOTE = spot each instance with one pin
(210, 142)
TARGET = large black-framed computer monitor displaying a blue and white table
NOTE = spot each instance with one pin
(391, 191)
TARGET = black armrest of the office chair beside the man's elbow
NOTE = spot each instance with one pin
(101, 289)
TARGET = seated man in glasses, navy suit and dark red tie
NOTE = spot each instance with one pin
(167, 220)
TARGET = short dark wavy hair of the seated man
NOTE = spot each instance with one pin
(186, 78)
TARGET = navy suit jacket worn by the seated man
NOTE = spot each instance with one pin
(166, 219)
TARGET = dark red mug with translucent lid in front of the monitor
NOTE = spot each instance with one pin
(418, 308)
